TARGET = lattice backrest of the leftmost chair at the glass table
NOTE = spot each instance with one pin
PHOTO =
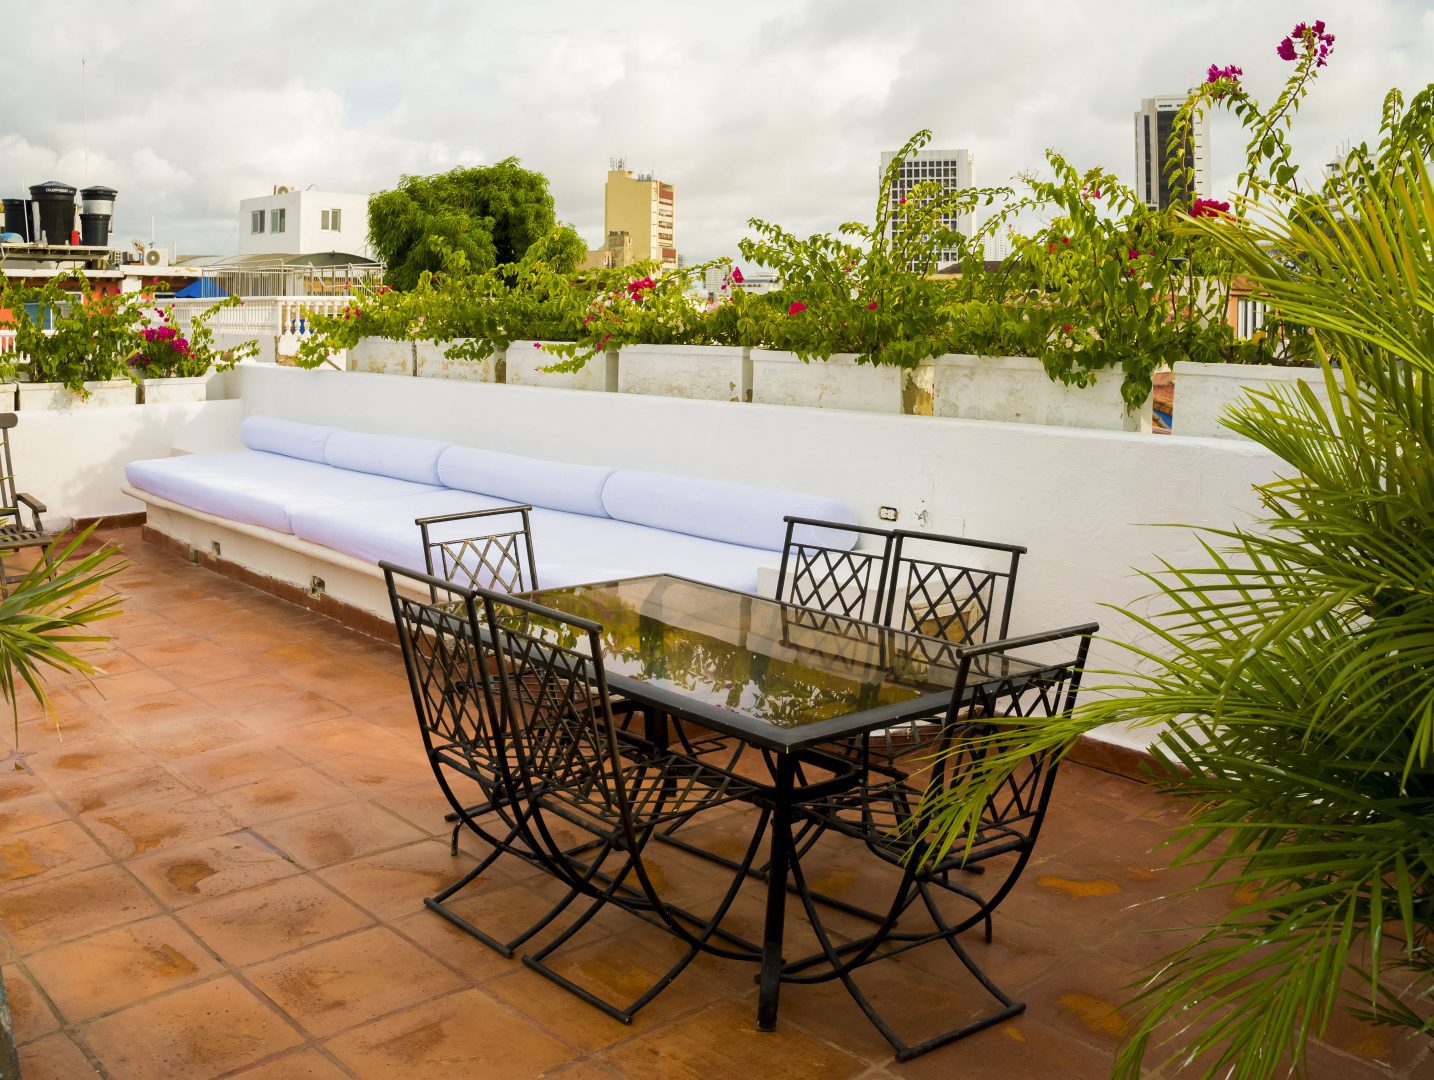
(448, 666)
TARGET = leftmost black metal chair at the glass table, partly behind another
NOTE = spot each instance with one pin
(451, 673)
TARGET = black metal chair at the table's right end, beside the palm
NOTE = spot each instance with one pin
(897, 825)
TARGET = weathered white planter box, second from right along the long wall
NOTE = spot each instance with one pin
(1017, 389)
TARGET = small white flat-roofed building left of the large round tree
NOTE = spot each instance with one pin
(305, 223)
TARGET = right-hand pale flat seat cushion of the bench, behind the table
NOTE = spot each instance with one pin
(569, 549)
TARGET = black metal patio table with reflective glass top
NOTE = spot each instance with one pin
(777, 676)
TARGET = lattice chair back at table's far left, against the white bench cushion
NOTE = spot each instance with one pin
(501, 559)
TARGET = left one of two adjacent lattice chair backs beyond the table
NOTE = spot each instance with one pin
(818, 573)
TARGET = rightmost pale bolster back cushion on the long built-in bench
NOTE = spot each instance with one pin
(729, 513)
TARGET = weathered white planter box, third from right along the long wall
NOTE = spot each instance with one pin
(779, 378)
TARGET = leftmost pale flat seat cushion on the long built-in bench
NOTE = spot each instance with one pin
(257, 487)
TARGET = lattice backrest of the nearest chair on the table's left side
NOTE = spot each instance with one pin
(557, 714)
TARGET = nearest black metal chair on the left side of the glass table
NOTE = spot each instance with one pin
(571, 769)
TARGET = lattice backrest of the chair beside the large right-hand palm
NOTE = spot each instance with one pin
(993, 681)
